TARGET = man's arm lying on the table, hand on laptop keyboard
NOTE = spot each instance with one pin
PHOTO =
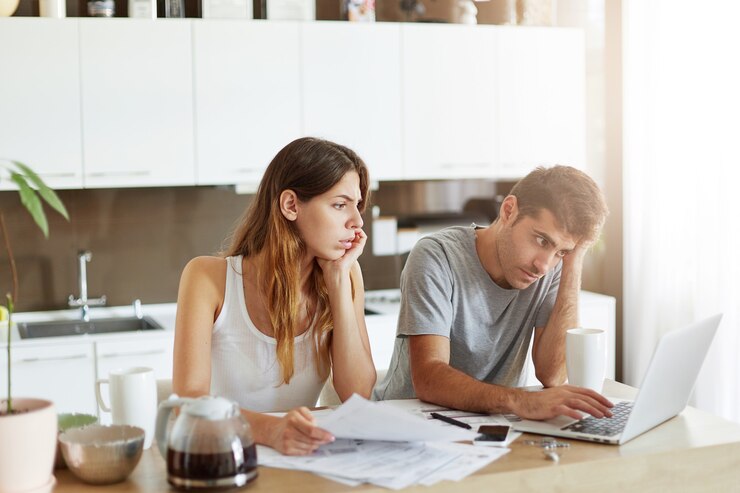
(436, 381)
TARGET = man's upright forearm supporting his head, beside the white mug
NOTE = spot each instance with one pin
(548, 349)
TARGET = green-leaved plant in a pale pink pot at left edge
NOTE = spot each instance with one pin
(28, 427)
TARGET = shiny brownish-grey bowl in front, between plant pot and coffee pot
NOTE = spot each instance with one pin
(102, 454)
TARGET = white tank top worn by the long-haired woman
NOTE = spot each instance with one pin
(244, 365)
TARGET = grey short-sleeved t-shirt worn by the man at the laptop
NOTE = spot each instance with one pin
(446, 291)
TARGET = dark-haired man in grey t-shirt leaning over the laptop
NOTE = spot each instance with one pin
(471, 297)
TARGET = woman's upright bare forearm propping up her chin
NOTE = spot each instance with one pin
(353, 369)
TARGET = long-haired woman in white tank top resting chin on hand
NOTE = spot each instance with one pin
(267, 324)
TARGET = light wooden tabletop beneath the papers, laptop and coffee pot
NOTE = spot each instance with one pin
(694, 451)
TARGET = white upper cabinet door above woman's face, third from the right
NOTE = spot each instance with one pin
(352, 90)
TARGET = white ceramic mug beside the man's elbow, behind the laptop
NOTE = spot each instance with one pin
(585, 357)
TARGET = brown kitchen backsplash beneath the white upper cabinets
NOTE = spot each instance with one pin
(142, 238)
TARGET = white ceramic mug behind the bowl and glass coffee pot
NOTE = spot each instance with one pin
(133, 399)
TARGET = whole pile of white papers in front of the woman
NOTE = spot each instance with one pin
(383, 444)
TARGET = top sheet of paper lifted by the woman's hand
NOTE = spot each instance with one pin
(363, 419)
